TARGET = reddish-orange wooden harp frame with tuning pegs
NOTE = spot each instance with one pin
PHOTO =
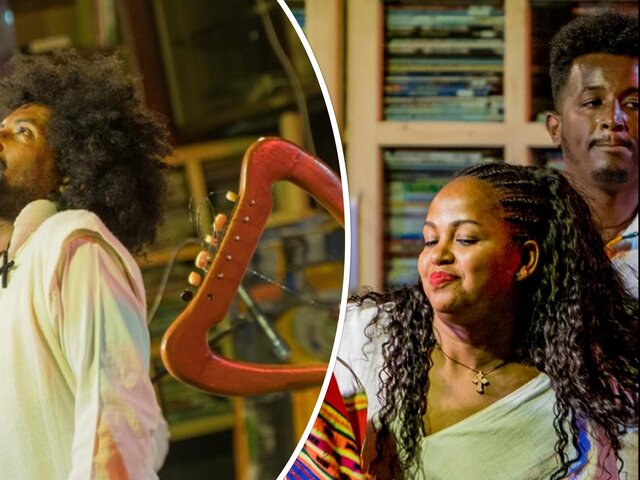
(185, 350)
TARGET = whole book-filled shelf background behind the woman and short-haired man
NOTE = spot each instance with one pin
(423, 88)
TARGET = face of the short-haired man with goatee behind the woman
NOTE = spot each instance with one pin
(596, 125)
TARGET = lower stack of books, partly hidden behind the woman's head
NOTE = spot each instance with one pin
(413, 177)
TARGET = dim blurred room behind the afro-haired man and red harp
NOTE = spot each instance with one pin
(224, 73)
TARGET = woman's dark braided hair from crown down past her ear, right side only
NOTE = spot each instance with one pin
(573, 306)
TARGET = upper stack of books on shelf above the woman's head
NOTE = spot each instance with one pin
(444, 62)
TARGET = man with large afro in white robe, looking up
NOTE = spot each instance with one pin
(81, 185)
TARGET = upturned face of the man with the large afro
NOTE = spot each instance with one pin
(27, 166)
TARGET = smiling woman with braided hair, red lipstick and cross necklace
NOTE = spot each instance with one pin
(514, 356)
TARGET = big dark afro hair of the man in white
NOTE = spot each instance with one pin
(107, 146)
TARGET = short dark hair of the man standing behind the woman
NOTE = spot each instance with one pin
(606, 32)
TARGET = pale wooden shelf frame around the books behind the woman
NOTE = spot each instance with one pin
(367, 135)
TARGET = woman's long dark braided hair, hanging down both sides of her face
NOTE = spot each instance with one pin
(576, 323)
